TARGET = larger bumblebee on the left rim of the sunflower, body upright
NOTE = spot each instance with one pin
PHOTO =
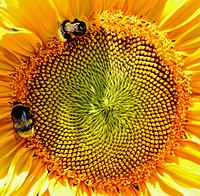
(22, 121)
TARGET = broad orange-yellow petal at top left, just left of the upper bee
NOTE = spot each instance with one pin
(36, 16)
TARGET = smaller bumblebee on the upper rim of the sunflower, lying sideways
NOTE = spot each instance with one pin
(70, 30)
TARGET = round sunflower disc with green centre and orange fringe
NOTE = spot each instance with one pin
(105, 105)
